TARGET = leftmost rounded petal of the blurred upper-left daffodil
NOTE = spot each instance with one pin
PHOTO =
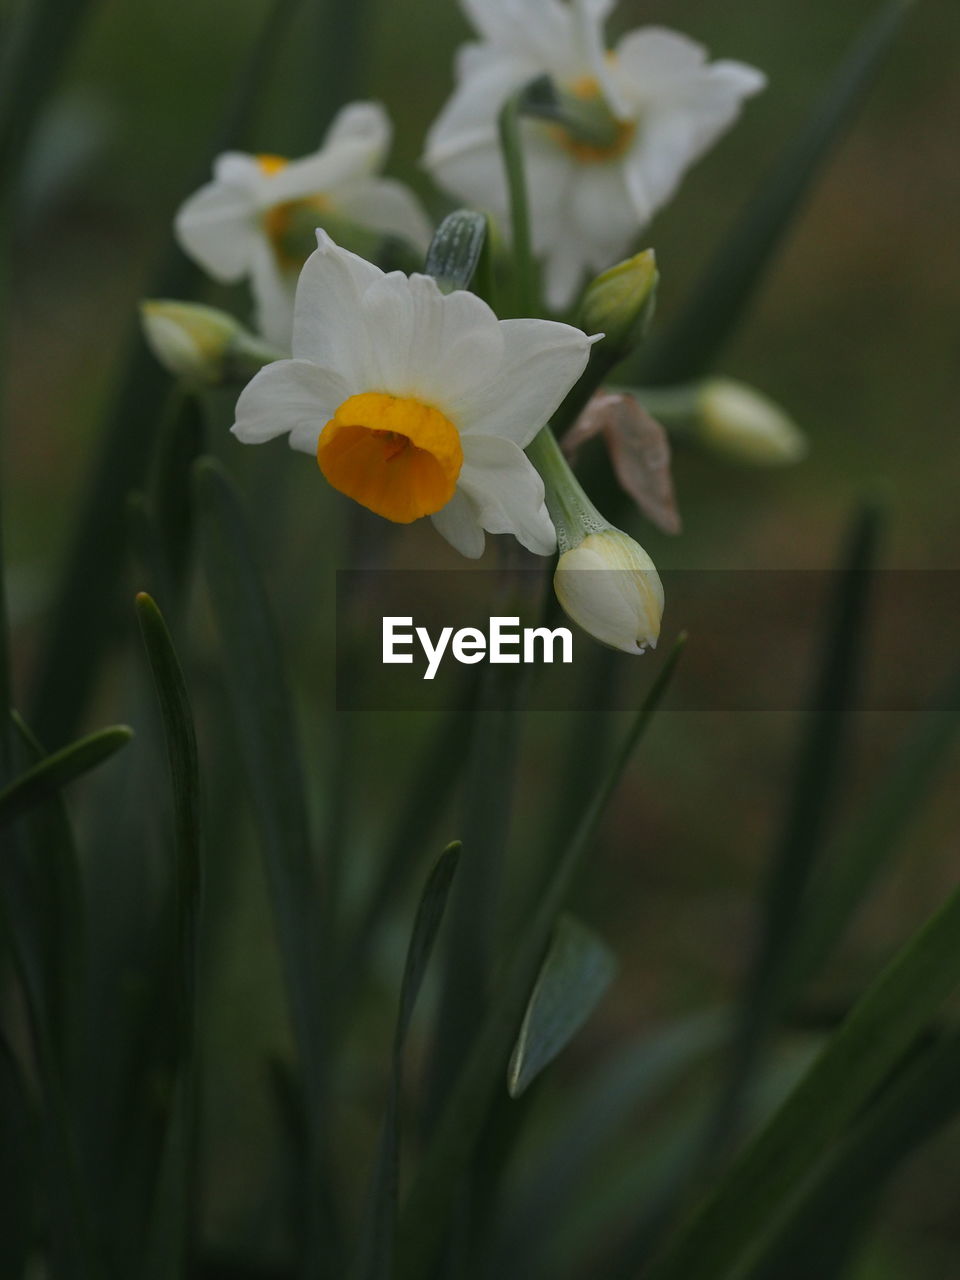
(217, 227)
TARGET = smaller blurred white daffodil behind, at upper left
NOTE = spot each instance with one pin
(257, 220)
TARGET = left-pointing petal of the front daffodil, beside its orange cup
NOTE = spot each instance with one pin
(290, 397)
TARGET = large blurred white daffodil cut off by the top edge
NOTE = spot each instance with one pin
(664, 106)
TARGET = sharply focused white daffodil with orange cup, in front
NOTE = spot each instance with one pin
(417, 403)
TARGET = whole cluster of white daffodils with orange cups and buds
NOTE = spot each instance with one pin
(413, 396)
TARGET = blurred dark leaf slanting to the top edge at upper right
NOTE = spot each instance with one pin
(725, 291)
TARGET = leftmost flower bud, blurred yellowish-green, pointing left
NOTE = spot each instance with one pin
(202, 345)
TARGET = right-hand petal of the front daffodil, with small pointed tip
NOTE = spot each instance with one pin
(542, 360)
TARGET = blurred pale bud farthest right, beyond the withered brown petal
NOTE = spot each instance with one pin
(743, 424)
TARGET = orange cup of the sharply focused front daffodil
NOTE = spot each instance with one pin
(392, 454)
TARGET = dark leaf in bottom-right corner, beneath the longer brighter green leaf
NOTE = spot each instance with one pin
(825, 1223)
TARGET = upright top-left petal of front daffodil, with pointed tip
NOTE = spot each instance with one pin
(328, 322)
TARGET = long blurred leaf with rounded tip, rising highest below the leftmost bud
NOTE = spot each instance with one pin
(257, 684)
